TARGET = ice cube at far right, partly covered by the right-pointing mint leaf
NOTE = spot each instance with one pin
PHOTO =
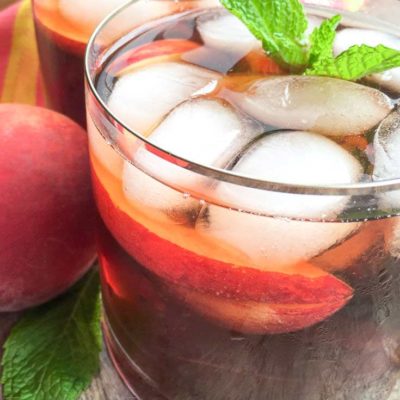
(346, 38)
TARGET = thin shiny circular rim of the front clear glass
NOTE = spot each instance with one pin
(354, 189)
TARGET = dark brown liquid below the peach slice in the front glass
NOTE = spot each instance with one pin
(179, 355)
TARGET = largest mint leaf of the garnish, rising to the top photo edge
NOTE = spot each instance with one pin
(279, 24)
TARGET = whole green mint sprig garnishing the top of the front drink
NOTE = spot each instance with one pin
(281, 26)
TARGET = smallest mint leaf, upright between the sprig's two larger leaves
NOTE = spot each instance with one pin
(322, 38)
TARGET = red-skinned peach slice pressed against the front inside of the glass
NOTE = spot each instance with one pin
(304, 293)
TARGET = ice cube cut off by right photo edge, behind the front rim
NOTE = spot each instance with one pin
(387, 158)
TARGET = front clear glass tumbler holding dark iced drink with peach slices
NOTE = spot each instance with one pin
(246, 267)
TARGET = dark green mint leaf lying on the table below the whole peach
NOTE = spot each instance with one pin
(53, 351)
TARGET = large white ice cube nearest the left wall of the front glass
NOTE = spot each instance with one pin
(144, 96)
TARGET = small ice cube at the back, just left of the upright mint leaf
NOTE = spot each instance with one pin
(224, 31)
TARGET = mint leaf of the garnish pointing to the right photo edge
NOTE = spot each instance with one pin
(357, 62)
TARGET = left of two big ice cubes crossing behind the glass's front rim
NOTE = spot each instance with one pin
(202, 130)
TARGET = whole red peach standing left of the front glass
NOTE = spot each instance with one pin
(47, 214)
